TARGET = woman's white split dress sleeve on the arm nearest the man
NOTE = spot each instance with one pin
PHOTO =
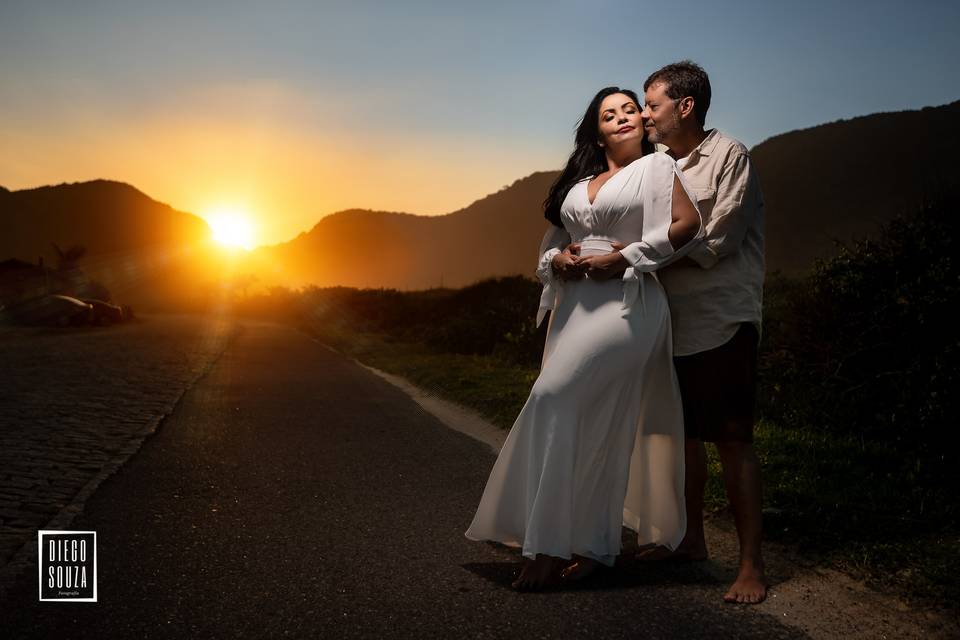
(654, 250)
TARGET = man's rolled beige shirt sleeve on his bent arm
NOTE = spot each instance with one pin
(733, 211)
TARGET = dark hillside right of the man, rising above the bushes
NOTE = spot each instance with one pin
(841, 180)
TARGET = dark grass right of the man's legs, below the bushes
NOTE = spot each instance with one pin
(850, 504)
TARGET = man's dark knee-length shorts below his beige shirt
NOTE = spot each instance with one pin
(719, 389)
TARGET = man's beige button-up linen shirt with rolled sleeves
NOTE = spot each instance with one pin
(709, 299)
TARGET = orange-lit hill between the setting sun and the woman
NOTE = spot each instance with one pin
(497, 235)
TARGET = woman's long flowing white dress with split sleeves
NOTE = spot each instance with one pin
(599, 442)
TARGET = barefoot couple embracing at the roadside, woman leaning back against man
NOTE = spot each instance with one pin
(653, 274)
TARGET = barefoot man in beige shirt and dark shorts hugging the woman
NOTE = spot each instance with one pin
(715, 296)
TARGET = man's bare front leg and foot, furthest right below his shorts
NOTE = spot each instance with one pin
(741, 477)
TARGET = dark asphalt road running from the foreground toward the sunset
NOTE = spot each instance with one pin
(292, 493)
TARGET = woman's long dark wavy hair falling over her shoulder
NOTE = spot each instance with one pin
(588, 158)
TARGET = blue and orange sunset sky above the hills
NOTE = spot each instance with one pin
(416, 106)
